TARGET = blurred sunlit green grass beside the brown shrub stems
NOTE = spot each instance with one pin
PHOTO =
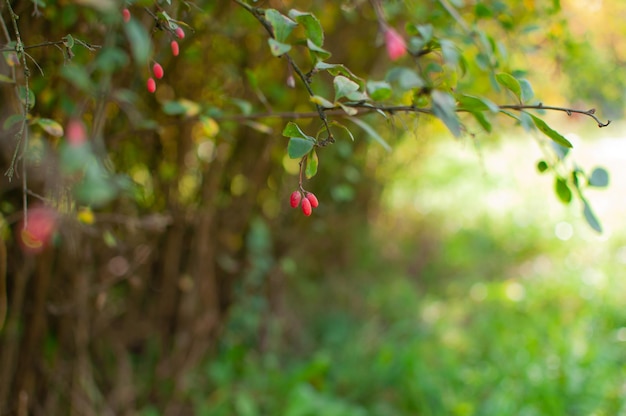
(476, 293)
